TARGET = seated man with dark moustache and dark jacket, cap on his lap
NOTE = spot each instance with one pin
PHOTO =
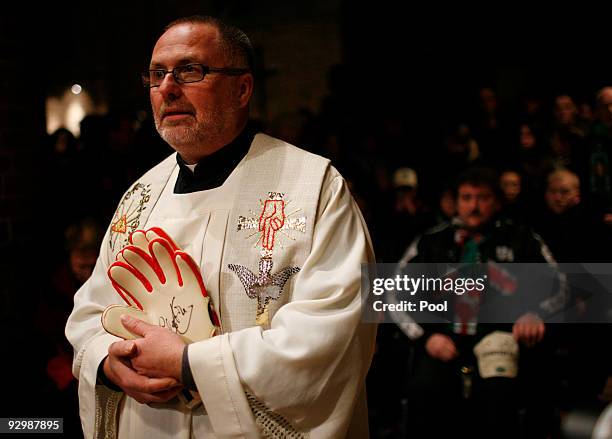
(448, 394)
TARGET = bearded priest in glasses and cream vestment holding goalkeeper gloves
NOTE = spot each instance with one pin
(279, 242)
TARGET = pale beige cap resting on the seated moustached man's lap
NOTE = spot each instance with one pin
(497, 355)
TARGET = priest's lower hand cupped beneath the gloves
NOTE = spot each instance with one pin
(143, 389)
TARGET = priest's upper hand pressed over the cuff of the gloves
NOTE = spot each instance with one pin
(159, 353)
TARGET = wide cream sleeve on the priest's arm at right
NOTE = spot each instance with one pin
(306, 373)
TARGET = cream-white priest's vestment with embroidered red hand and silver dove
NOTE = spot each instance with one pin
(301, 372)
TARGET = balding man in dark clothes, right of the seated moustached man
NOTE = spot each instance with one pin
(576, 235)
